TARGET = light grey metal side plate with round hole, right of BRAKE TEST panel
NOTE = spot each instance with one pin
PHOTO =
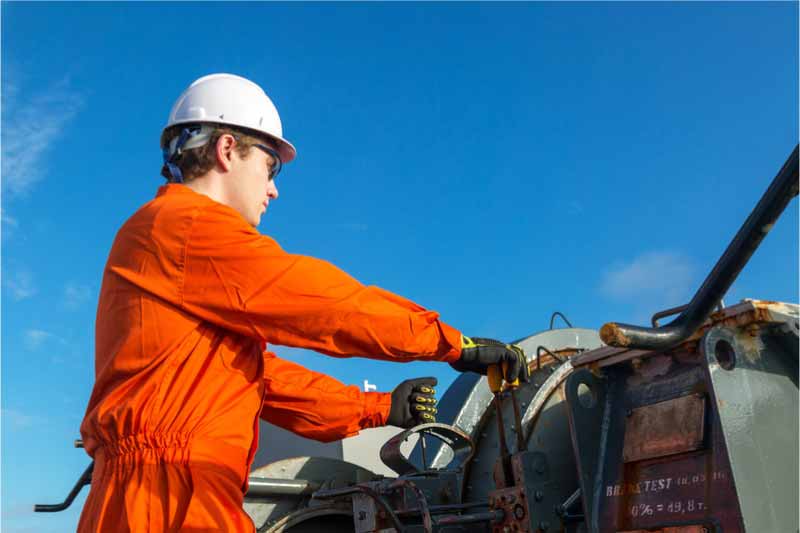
(757, 399)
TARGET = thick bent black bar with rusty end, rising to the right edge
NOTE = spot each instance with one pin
(780, 192)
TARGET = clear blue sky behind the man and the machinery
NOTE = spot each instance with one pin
(495, 162)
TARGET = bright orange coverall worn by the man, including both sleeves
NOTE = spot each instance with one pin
(191, 295)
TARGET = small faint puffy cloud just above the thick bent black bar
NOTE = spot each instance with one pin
(661, 276)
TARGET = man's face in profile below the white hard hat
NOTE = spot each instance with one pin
(250, 188)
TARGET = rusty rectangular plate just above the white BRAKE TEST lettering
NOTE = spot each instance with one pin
(664, 428)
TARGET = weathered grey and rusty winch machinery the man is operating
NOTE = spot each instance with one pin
(688, 427)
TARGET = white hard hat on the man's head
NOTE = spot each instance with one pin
(231, 100)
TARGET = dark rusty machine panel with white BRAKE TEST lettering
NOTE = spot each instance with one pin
(690, 488)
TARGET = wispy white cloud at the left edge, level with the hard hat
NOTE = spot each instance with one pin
(29, 128)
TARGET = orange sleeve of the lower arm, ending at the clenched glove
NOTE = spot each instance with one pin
(317, 406)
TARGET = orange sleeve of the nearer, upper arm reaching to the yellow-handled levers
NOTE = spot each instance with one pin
(244, 281)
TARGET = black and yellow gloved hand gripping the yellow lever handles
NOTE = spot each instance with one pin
(477, 355)
